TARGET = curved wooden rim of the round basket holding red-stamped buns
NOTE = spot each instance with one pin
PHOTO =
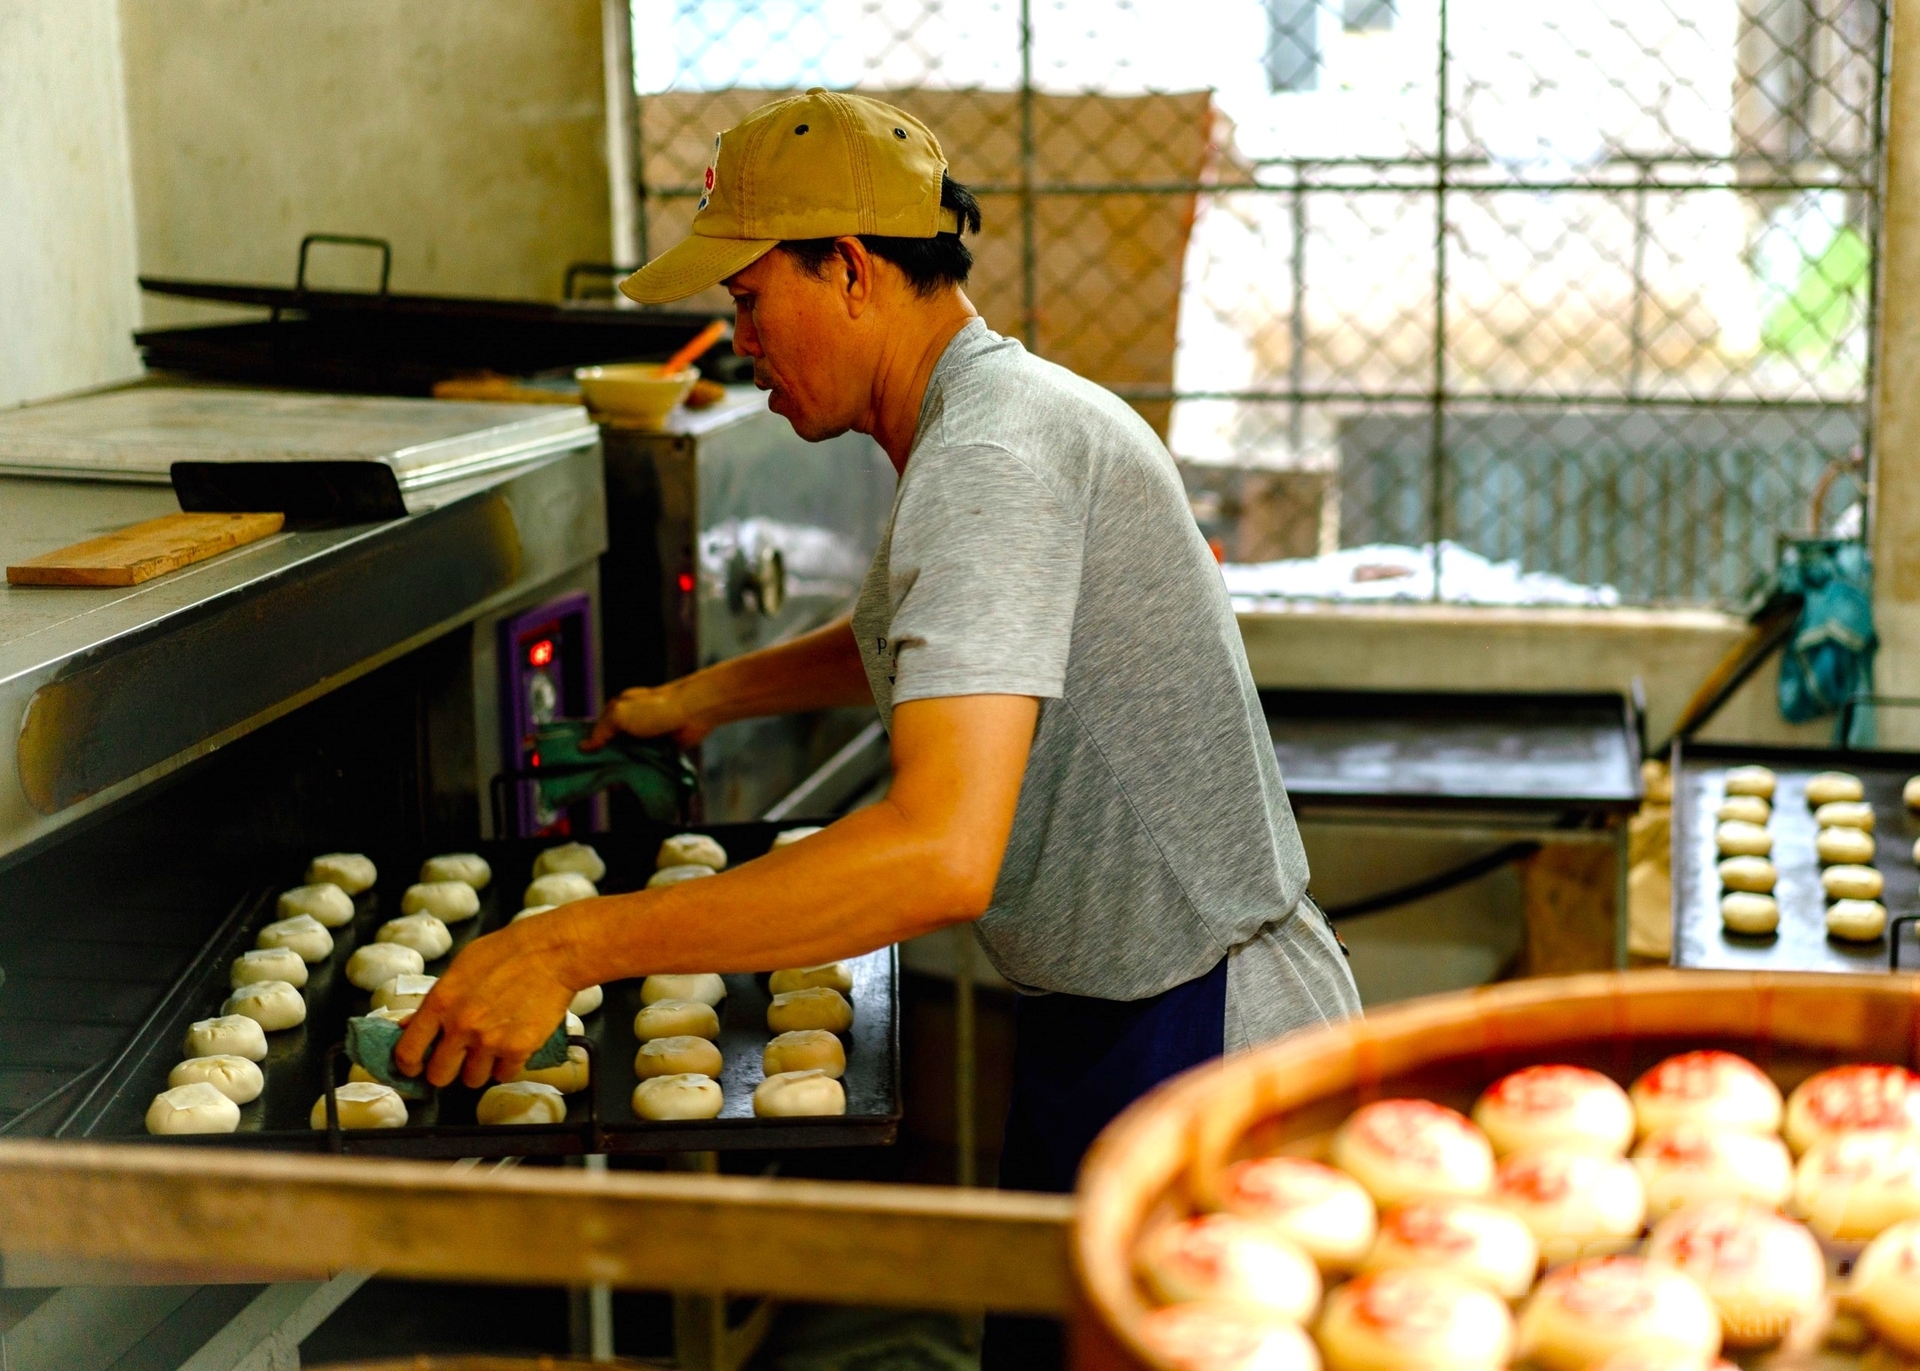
(1164, 1124)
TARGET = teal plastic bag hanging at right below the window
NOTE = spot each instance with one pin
(1831, 656)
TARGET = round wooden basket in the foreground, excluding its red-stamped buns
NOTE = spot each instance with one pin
(1166, 1153)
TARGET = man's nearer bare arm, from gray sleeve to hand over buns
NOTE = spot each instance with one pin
(921, 859)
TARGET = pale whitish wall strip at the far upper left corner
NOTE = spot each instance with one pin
(68, 299)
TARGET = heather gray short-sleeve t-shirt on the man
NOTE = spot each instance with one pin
(1042, 546)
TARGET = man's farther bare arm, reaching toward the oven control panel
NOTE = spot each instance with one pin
(817, 671)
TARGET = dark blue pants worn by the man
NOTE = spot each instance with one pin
(1078, 1063)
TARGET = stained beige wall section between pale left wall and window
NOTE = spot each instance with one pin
(469, 135)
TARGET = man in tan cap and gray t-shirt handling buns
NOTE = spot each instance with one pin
(1080, 761)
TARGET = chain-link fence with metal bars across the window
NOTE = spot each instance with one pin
(1472, 301)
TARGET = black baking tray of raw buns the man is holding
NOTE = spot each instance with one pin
(600, 1120)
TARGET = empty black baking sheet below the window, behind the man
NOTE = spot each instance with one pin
(1550, 754)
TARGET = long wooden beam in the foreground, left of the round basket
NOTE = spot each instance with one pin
(228, 1215)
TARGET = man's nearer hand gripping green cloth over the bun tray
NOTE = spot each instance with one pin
(494, 1009)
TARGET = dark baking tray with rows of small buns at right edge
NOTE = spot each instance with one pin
(1800, 944)
